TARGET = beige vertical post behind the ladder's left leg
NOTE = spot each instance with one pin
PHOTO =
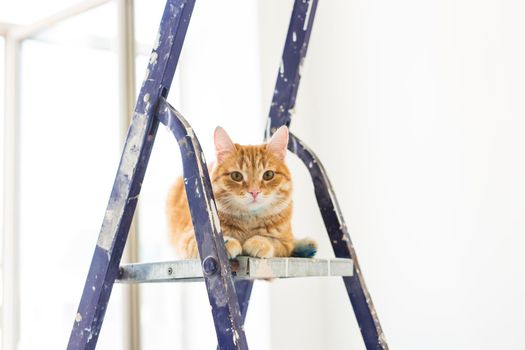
(126, 64)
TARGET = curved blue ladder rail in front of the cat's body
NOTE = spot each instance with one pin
(215, 263)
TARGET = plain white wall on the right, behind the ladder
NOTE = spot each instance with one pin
(416, 109)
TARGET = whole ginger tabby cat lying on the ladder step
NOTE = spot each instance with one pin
(253, 192)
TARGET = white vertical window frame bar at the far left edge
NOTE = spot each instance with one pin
(11, 199)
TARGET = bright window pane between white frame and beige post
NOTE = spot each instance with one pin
(69, 153)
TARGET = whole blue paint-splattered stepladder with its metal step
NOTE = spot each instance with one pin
(229, 283)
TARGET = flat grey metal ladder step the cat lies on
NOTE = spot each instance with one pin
(242, 268)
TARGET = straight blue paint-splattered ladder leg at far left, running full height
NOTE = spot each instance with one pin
(119, 213)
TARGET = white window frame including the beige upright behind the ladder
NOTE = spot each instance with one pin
(14, 36)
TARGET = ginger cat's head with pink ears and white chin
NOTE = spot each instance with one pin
(251, 179)
